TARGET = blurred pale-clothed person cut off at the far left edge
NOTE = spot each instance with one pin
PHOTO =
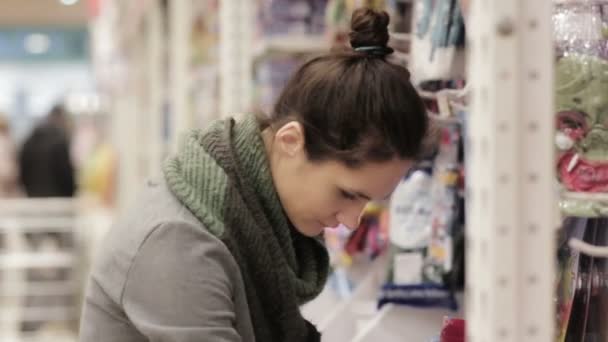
(8, 164)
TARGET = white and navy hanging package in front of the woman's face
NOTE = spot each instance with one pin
(425, 218)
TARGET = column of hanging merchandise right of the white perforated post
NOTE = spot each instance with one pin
(581, 140)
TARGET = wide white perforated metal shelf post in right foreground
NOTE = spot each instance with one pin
(511, 202)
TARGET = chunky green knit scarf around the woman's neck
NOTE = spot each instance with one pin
(223, 177)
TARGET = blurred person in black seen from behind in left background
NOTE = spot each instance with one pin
(46, 168)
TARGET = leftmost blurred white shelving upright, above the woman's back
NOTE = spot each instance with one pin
(128, 49)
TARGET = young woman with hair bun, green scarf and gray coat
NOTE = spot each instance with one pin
(225, 247)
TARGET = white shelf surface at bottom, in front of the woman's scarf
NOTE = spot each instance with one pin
(358, 319)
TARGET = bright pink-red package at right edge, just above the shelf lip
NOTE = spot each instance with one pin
(582, 175)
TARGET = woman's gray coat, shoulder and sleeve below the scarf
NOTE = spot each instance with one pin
(162, 277)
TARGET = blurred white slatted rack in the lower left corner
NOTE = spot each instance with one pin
(27, 294)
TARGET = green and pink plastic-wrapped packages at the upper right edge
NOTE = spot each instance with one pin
(581, 85)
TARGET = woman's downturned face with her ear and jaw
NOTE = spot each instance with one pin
(316, 195)
